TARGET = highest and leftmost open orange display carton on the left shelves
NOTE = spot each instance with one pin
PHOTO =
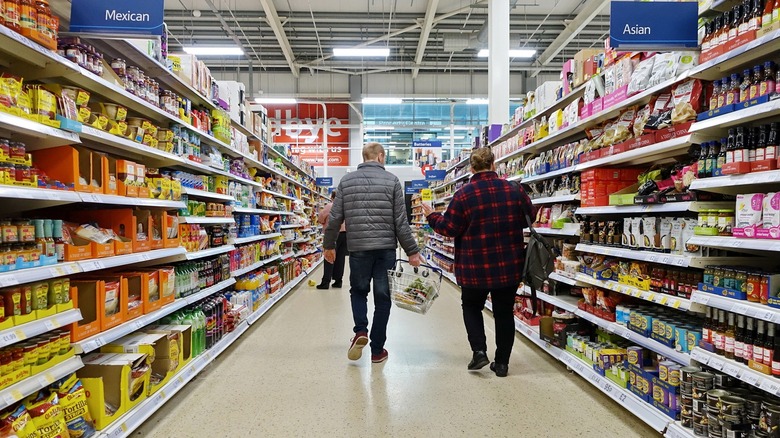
(69, 164)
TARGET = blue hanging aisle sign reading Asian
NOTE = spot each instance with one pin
(651, 26)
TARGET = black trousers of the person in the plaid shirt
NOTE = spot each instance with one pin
(473, 301)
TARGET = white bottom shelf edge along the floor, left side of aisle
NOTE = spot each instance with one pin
(132, 420)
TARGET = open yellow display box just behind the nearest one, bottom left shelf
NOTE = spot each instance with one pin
(161, 350)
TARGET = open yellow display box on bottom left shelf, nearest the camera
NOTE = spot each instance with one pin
(108, 380)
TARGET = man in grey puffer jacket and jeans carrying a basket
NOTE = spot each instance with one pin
(371, 202)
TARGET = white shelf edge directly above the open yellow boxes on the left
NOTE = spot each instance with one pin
(94, 342)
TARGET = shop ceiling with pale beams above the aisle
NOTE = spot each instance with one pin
(432, 36)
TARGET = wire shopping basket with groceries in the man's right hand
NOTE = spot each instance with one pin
(414, 288)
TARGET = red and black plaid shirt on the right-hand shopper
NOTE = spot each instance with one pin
(486, 217)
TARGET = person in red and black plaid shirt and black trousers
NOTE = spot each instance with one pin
(486, 217)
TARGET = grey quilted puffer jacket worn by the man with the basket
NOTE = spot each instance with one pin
(371, 202)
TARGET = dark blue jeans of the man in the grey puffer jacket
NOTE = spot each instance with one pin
(365, 266)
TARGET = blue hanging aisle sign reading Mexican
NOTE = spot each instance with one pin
(118, 17)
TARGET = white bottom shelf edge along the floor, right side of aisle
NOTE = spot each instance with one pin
(645, 412)
